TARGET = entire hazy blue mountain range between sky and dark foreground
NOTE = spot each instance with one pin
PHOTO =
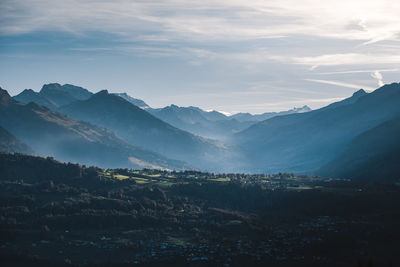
(343, 139)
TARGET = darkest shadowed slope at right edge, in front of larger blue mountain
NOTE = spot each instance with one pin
(372, 155)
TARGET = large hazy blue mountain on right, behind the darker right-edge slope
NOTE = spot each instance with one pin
(304, 142)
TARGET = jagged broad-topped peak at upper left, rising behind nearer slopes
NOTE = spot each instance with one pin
(54, 95)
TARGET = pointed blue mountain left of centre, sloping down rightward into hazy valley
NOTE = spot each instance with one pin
(143, 129)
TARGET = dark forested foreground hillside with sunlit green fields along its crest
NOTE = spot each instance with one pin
(56, 214)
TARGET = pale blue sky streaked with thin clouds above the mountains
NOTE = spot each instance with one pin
(228, 55)
